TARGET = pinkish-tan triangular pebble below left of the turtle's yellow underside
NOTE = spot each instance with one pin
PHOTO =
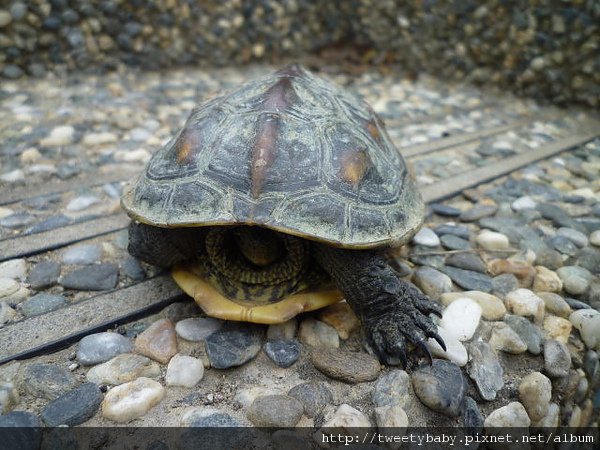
(158, 341)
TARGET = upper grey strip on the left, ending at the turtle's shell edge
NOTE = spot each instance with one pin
(32, 244)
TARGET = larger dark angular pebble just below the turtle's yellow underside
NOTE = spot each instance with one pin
(233, 345)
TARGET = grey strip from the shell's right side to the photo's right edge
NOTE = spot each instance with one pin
(456, 184)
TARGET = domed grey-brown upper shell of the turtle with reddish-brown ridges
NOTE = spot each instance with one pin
(291, 152)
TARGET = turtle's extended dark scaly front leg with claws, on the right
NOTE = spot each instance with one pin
(391, 310)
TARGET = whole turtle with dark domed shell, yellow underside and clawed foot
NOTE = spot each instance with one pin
(280, 197)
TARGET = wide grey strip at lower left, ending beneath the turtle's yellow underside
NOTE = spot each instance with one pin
(60, 328)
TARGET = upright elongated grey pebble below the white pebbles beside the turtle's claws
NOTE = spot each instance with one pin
(485, 370)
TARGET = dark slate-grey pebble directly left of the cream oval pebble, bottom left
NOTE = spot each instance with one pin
(74, 407)
